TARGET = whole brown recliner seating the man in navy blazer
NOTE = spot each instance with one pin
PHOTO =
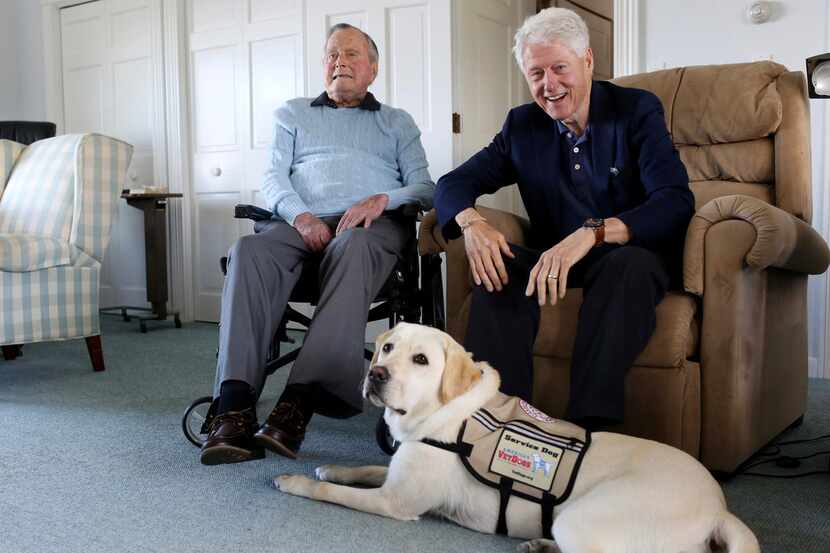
(726, 369)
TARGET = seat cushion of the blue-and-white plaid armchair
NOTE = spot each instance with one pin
(25, 252)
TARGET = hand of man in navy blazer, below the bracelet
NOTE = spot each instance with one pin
(484, 246)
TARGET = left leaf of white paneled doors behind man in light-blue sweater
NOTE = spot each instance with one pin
(245, 59)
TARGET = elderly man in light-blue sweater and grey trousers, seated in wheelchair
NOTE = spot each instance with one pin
(339, 162)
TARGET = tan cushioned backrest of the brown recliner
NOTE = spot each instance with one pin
(739, 128)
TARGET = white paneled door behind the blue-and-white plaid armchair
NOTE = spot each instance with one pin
(110, 68)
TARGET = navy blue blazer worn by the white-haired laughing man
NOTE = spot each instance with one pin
(637, 173)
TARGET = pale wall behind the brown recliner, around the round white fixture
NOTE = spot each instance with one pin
(679, 32)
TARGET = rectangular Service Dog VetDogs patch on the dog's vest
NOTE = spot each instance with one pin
(526, 460)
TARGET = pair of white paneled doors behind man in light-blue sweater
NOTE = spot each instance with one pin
(248, 56)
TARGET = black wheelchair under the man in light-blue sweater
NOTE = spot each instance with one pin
(413, 292)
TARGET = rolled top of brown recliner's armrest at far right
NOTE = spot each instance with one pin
(781, 239)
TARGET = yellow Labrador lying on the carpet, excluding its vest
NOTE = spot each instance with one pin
(630, 494)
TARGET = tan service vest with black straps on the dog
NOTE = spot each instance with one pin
(510, 445)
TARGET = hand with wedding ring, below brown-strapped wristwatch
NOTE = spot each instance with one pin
(549, 277)
